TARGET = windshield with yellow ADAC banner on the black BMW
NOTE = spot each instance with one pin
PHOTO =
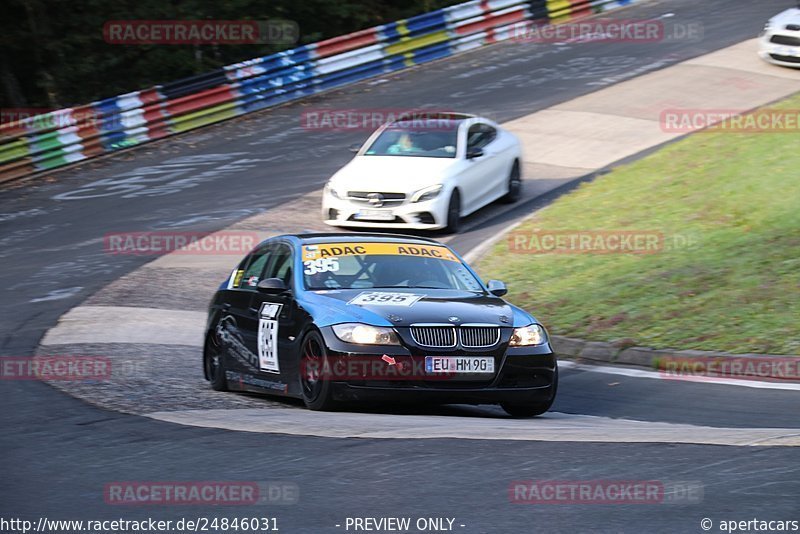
(384, 265)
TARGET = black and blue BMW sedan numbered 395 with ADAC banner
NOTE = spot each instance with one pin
(337, 317)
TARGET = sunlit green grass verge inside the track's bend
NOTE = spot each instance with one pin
(735, 288)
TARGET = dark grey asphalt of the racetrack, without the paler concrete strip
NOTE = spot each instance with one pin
(58, 452)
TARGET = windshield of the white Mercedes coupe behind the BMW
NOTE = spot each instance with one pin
(431, 139)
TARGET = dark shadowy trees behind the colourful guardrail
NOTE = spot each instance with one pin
(53, 54)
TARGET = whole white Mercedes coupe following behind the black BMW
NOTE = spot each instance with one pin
(425, 174)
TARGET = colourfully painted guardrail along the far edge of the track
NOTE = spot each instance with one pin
(75, 134)
